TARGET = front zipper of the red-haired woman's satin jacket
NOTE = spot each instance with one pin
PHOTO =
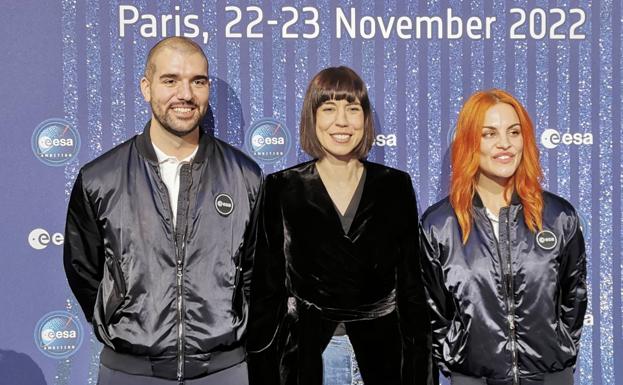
(509, 290)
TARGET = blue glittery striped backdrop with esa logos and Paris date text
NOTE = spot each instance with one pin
(70, 72)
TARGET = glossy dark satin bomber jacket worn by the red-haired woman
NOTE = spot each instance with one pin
(467, 294)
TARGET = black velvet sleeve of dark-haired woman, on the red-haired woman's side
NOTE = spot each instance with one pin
(411, 300)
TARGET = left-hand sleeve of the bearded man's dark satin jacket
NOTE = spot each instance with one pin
(83, 253)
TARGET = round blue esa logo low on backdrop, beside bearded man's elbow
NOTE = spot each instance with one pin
(58, 334)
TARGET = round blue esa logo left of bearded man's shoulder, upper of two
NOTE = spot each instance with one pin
(55, 142)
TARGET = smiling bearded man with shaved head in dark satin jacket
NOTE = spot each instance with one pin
(160, 235)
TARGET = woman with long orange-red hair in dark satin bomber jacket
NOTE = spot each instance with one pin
(505, 269)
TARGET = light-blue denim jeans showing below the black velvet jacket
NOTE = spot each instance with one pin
(339, 364)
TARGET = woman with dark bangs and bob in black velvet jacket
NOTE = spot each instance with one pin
(335, 250)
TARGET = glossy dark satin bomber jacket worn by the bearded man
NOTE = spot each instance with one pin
(120, 252)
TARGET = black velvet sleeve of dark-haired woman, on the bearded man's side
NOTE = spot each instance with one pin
(268, 305)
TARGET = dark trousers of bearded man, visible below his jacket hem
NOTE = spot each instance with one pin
(236, 375)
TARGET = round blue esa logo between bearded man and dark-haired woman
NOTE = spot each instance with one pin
(268, 140)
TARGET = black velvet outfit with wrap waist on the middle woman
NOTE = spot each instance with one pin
(310, 275)
